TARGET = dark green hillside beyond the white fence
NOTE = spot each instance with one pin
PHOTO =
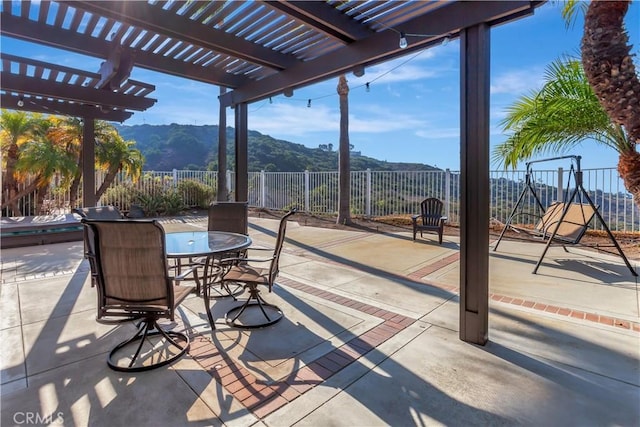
(174, 146)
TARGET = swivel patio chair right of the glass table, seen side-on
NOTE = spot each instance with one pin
(244, 270)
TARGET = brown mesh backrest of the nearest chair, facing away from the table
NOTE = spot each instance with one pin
(130, 269)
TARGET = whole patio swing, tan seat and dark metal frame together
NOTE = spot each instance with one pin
(558, 221)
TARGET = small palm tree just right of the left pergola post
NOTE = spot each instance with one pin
(113, 155)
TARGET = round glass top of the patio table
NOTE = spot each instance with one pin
(202, 243)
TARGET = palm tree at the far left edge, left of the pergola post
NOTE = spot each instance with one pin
(16, 128)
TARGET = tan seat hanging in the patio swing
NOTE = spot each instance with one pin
(573, 225)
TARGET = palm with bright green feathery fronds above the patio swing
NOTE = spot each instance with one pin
(561, 115)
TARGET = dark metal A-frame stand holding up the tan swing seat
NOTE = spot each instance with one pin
(578, 193)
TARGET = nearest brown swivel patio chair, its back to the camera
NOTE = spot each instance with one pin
(130, 272)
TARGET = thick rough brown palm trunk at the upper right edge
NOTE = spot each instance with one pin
(609, 68)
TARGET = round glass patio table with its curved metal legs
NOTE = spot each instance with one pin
(210, 245)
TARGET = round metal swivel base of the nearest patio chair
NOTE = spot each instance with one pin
(177, 341)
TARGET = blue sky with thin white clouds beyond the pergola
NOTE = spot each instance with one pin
(410, 113)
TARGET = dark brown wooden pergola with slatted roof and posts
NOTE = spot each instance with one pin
(258, 49)
